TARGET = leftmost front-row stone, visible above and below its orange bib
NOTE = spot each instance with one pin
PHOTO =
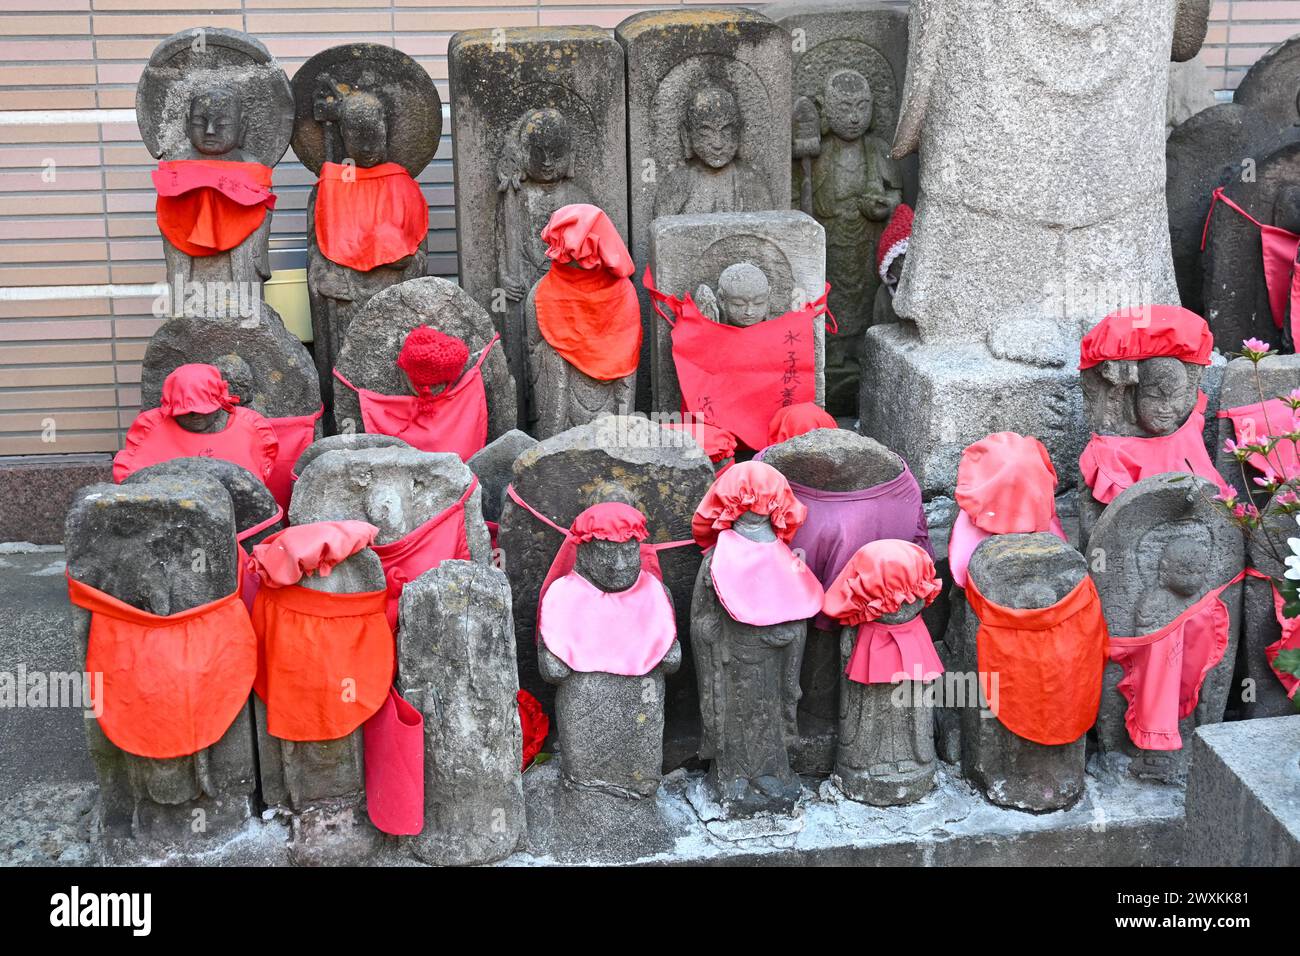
(137, 543)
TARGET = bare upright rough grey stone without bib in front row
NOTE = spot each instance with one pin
(457, 667)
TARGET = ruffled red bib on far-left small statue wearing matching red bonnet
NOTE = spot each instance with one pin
(248, 440)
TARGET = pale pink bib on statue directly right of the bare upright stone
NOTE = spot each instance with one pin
(591, 630)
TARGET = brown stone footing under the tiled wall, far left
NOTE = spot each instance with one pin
(37, 491)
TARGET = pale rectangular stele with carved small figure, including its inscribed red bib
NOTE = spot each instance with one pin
(762, 275)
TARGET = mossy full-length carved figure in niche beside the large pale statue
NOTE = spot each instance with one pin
(856, 188)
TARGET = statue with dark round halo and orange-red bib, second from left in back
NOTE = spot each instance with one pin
(369, 120)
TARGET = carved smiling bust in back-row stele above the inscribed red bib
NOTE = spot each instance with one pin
(714, 179)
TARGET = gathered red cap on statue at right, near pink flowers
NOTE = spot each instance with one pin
(1147, 334)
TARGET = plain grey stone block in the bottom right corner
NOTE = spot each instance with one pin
(1243, 794)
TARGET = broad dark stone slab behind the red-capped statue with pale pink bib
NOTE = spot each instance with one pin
(629, 460)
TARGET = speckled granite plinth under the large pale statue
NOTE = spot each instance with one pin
(929, 403)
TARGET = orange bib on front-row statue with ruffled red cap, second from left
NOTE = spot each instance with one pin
(324, 661)
